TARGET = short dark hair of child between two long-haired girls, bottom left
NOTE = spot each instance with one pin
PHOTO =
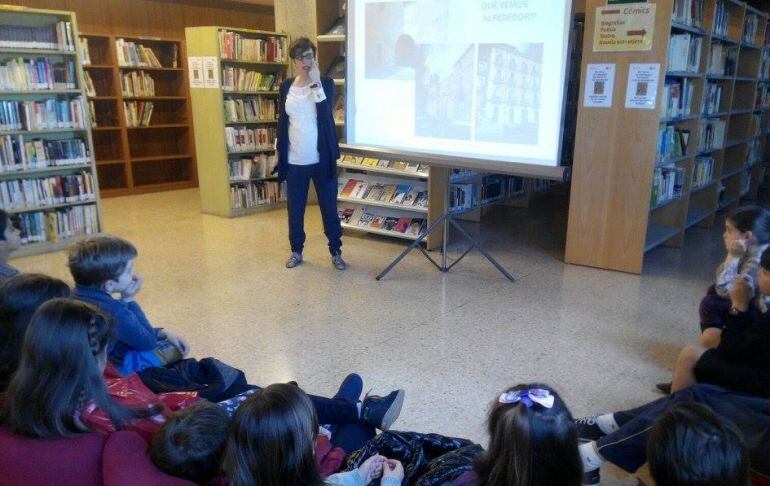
(191, 442)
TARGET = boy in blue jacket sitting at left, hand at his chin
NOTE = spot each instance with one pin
(103, 266)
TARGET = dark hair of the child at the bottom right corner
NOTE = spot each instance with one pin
(689, 445)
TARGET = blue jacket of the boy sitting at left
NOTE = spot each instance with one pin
(131, 329)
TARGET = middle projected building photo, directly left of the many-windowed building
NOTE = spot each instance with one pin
(444, 91)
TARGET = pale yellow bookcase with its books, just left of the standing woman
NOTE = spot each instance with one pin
(236, 124)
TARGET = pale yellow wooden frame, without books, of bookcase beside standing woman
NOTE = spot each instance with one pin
(214, 156)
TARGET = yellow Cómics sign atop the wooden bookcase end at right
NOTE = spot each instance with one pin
(624, 28)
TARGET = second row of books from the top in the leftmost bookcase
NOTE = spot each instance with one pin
(37, 74)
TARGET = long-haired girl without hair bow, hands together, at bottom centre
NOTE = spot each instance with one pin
(271, 443)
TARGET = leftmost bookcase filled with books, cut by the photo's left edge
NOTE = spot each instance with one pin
(47, 171)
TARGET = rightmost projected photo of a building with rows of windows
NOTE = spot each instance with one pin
(508, 84)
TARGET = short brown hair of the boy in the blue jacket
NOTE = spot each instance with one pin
(96, 260)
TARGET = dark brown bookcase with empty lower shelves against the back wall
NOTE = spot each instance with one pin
(134, 157)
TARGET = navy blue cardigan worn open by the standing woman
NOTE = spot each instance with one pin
(328, 148)
